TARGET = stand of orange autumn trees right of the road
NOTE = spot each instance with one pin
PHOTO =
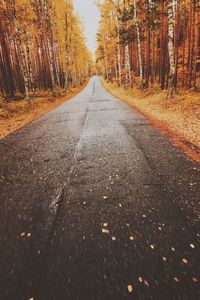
(150, 42)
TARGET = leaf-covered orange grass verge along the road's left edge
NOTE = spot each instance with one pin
(17, 113)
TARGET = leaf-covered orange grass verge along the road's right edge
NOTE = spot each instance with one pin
(178, 118)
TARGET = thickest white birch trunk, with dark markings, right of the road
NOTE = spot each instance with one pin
(172, 70)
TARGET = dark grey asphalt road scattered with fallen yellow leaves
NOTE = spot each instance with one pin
(96, 204)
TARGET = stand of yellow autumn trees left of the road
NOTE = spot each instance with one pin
(42, 46)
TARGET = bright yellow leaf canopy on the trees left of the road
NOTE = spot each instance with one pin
(55, 21)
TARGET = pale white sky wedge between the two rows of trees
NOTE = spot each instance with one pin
(89, 14)
